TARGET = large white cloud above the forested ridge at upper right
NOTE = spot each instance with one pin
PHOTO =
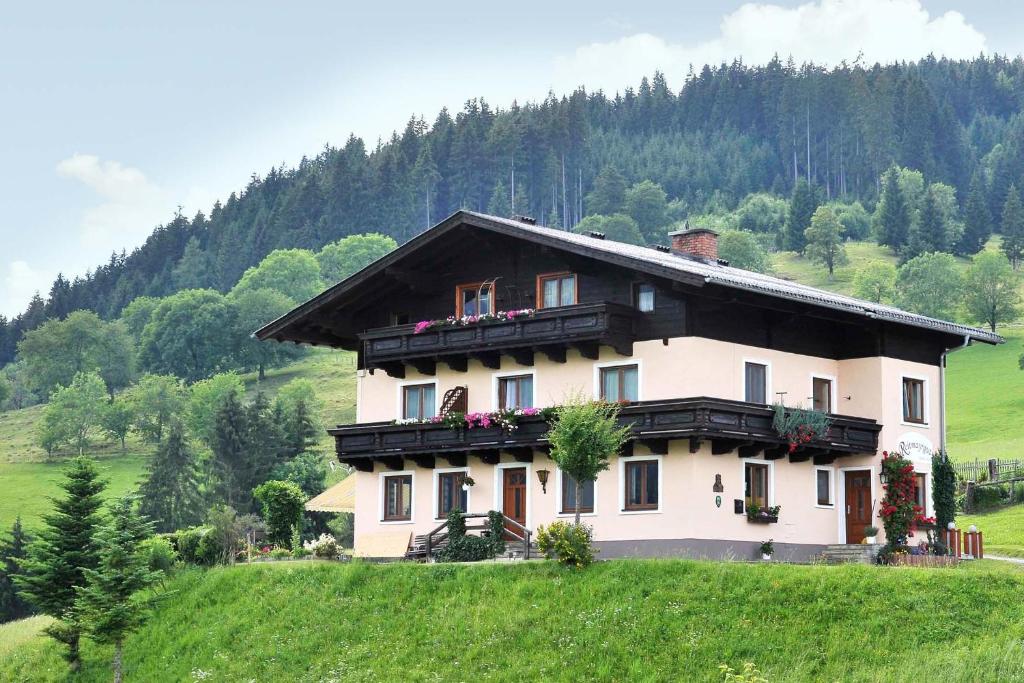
(826, 32)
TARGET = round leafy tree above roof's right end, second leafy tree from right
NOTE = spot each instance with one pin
(930, 285)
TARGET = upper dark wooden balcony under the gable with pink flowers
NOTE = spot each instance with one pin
(549, 331)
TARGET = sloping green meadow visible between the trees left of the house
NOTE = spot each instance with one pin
(29, 478)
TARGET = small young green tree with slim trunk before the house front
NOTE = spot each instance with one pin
(583, 438)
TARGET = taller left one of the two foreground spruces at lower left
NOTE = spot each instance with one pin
(64, 550)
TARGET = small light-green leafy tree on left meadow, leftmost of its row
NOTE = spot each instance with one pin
(74, 413)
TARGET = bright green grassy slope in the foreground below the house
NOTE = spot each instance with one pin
(638, 621)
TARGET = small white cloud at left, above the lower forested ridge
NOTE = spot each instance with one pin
(132, 206)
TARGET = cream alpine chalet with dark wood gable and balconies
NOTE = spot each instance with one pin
(481, 316)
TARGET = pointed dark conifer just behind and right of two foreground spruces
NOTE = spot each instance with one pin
(172, 496)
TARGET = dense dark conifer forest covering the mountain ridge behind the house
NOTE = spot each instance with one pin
(730, 132)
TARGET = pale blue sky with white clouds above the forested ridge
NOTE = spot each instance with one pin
(115, 115)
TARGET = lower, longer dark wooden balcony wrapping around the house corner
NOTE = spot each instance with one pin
(729, 425)
